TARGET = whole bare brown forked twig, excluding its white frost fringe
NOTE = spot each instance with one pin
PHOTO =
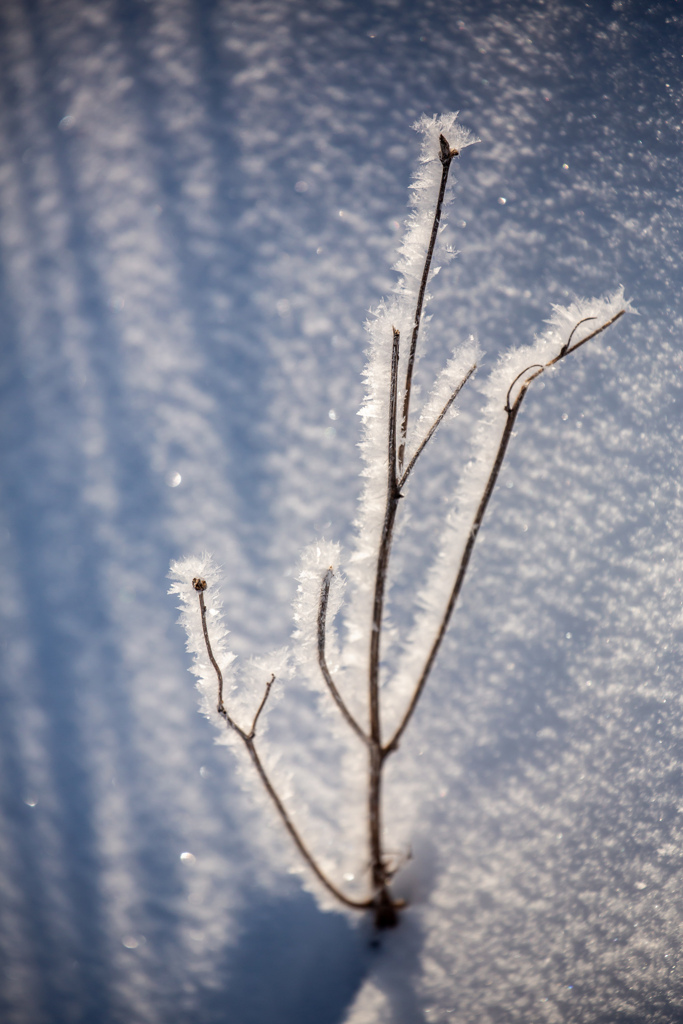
(382, 869)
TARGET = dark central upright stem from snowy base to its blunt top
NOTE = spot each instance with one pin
(385, 906)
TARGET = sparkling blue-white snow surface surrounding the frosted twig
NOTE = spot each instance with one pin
(201, 203)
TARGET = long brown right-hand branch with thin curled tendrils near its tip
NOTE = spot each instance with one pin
(513, 411)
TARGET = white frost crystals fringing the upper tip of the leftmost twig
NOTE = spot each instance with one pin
(183, 573)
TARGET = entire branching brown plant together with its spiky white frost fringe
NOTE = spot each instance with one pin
(393, 443)
